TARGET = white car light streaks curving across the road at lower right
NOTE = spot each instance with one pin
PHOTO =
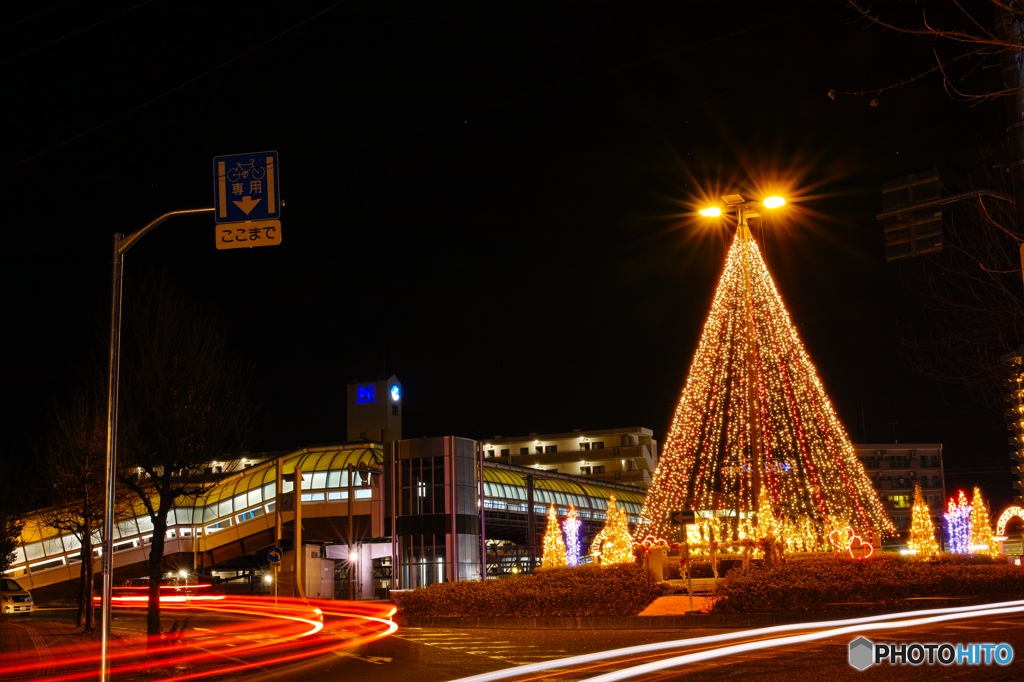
(865, 623)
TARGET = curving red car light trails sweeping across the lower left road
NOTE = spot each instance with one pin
(266, 634)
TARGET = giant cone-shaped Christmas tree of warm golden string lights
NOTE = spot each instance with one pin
(755, 416)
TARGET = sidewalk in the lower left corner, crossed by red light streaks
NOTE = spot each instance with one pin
(34, 651)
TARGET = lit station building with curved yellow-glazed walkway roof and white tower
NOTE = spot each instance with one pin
(379, 511)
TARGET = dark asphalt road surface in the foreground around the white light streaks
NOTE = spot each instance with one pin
(443, 655)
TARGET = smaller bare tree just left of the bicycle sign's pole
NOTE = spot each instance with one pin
(74, 477)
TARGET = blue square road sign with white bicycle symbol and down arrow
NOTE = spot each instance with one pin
(247, 187)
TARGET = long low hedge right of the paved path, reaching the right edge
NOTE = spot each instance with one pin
(839, 583)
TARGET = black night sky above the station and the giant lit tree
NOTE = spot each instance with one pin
(490, 200)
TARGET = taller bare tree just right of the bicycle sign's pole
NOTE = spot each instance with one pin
(187, 401)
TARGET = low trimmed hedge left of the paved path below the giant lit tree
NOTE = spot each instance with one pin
(619, 590)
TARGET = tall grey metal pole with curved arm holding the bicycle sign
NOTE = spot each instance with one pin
(121, 245)
